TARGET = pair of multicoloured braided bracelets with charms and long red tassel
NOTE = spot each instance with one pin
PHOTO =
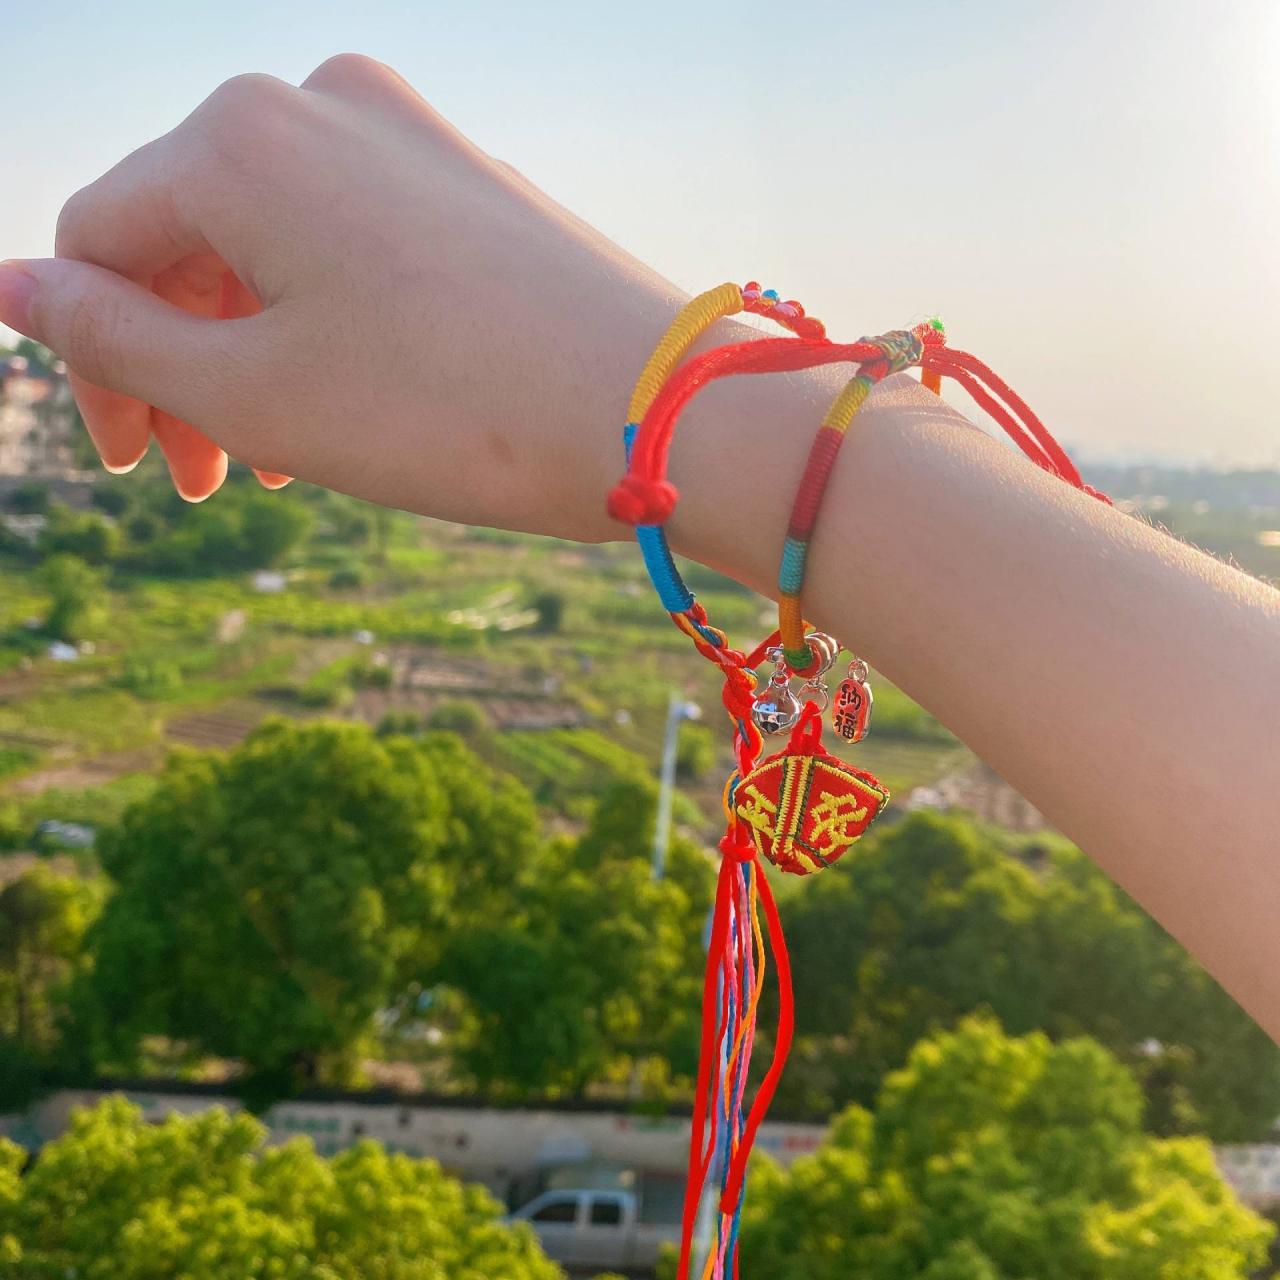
(801, 808)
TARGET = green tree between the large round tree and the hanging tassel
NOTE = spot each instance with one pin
(597, 972)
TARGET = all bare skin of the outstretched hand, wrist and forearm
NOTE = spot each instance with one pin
(437, 335)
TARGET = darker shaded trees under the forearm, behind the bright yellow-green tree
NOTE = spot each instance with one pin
(935, 918)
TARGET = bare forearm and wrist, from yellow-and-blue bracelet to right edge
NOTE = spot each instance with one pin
(1127, 684)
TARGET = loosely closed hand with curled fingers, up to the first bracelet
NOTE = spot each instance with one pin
(331, 282)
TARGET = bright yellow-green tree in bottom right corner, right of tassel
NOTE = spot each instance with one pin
(991, 1158)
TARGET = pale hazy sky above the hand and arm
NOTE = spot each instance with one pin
(1089, 193)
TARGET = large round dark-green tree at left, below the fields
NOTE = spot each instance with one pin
(272, 902)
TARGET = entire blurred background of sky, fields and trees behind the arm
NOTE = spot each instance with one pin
(327, 833)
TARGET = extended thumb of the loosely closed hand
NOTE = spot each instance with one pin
(116, 335)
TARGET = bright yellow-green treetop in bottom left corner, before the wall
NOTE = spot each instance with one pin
(202, 1197)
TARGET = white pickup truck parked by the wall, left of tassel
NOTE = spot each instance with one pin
(589, 1232)
